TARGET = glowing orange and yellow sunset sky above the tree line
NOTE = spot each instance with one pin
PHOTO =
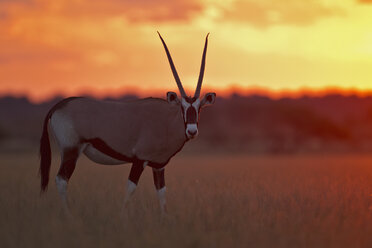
(111, 47)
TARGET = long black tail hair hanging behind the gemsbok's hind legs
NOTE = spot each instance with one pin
(45, 155)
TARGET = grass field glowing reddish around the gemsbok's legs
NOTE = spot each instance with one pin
(213, 201)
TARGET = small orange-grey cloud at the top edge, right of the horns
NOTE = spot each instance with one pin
(265, 13)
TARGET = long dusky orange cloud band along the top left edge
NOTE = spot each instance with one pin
(138, 11)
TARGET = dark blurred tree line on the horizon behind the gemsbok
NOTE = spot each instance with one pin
(254, 124)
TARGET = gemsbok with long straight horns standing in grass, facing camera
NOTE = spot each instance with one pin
(144, 132)
